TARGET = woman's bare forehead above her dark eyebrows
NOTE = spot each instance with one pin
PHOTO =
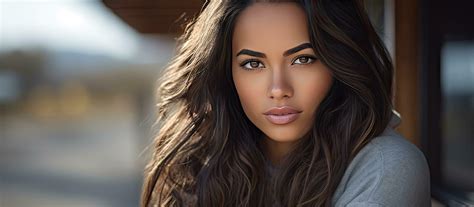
(270, 26)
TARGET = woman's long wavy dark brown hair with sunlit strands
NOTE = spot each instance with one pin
(207, 151)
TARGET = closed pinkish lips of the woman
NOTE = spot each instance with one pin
(282, 115)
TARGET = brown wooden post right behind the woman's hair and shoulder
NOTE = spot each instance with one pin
(407, 68)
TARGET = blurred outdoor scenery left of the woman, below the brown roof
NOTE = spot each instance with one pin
(77, 96)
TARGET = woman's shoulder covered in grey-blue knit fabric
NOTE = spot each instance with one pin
(388, 171)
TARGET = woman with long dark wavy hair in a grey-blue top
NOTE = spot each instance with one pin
(272, 103)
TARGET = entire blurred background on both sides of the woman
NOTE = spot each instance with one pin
(78, 80)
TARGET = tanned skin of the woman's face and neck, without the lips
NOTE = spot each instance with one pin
(276, 79)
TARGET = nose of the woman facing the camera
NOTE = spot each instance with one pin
(280, 87)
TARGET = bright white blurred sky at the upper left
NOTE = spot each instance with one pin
(66, 25)
